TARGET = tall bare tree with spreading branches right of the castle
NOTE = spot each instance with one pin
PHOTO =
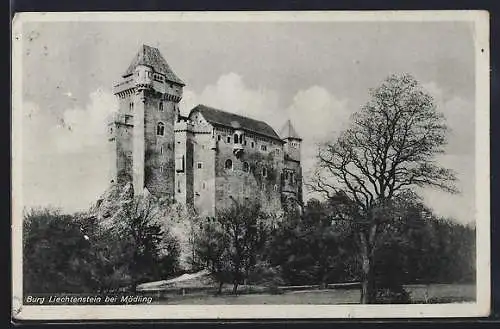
(389, 148)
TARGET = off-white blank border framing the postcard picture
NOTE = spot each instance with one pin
(480, 19)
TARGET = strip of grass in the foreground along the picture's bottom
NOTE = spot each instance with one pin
(435, 293)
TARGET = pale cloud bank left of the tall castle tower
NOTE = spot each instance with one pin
(66, 159)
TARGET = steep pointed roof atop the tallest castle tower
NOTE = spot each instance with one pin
(152, 57)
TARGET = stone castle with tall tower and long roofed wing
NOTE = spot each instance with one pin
(206, 159)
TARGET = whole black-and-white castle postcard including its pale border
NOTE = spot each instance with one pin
(250, 165)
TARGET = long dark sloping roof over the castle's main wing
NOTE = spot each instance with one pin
(231, 120)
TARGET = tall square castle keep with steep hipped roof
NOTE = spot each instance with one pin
(142, 130)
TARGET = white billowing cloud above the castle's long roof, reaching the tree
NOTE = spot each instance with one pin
(316, 114)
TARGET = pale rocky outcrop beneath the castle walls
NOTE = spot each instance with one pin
(174, 218)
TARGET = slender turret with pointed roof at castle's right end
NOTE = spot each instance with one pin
(291, 182)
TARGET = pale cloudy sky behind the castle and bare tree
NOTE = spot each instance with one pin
(314, 73)
